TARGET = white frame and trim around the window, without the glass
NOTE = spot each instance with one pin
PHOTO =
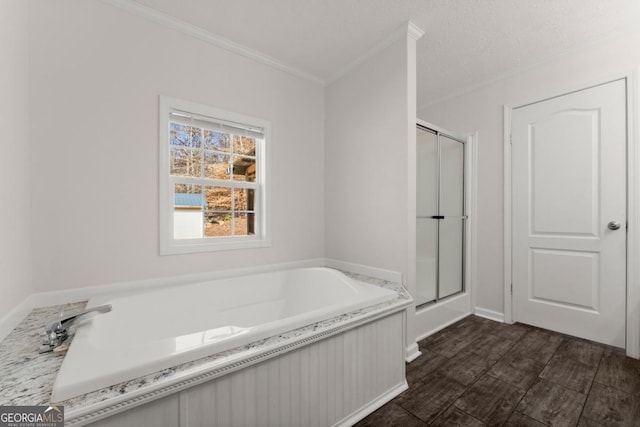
(261, 238)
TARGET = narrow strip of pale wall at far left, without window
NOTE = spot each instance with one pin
(15, 191)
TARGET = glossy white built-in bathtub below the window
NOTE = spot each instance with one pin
(151, 331)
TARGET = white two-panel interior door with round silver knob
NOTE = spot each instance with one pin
(568, 195)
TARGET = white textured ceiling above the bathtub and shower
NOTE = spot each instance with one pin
(466, 42)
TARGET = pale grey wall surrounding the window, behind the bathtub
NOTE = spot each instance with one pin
(95, 83)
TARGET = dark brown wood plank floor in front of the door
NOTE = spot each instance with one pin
(478, 372)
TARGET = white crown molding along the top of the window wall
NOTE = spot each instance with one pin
(209, 37)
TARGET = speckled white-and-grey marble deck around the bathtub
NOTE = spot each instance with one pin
(27, 377)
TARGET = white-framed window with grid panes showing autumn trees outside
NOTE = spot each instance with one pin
(213, 179)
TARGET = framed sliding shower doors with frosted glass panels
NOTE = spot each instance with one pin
(440, 215)
